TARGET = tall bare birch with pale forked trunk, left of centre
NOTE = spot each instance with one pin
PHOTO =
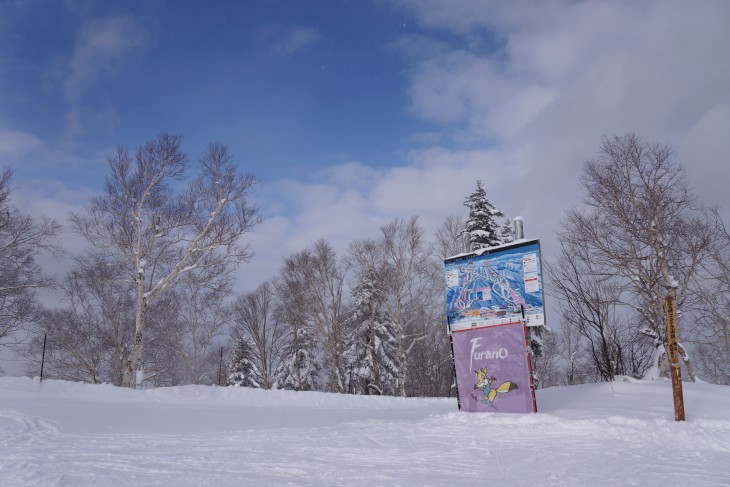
(163, 234)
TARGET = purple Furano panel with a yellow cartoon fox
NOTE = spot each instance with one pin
(492, 369)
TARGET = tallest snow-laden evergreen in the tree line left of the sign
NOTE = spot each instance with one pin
(372, 347)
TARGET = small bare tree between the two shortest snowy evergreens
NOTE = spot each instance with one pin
(255, 322)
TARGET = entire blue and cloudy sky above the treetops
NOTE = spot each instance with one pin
(352, 113)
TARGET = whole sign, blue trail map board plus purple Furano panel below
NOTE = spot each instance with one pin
(492, 296)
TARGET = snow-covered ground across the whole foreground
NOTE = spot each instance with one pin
(69, 434)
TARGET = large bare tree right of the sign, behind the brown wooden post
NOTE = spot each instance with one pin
(640, 223)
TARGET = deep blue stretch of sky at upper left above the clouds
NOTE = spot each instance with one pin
(290, 86)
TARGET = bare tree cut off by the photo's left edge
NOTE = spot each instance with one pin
(21, 240)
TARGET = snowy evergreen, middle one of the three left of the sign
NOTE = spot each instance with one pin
(299, 369)
